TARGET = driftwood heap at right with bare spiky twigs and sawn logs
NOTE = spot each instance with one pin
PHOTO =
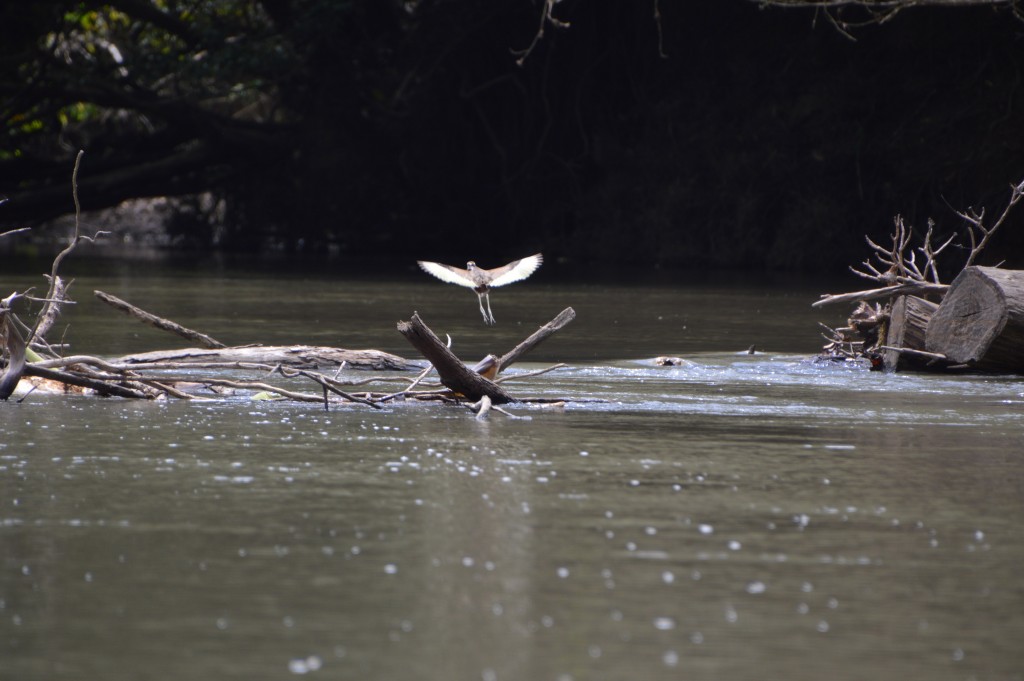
(917, 322)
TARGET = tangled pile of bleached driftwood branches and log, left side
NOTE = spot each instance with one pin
(30, 363)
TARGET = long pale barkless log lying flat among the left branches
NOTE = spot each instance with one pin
(306, 357)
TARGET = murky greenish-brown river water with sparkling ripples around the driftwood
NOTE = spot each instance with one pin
(737, 518)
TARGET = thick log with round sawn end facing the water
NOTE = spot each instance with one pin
(982, 321)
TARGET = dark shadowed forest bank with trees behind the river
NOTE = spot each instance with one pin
(672, 134)
